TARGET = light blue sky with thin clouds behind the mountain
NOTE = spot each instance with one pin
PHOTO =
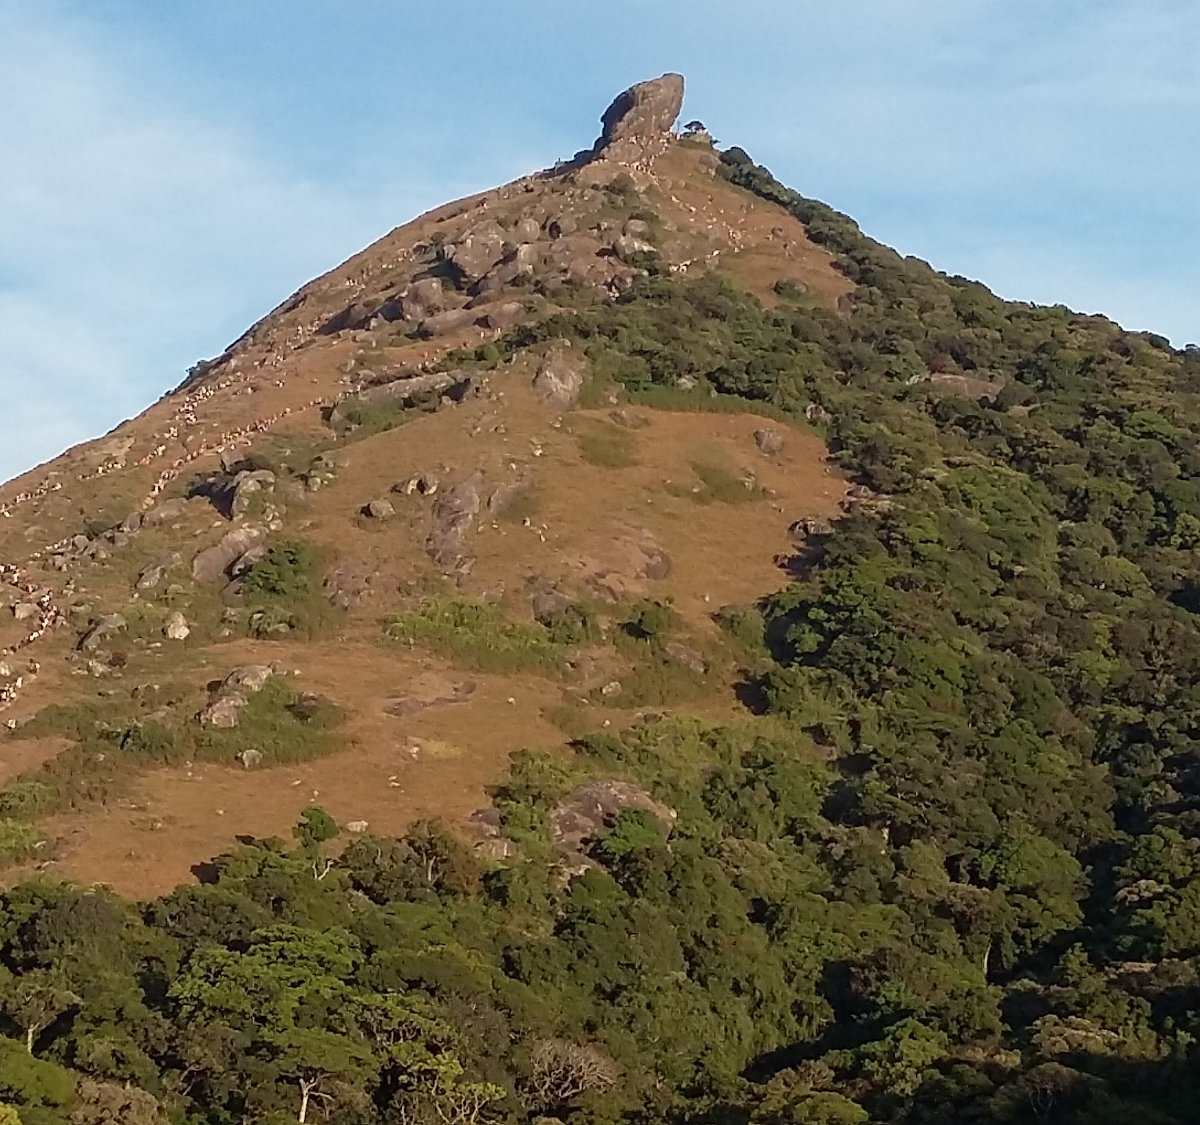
(170, 172)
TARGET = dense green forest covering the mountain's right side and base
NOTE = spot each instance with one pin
(949, 874)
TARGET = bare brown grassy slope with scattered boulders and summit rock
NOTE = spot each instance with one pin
(601, 506)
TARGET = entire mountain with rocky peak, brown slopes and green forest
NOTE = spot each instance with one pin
(623, 647)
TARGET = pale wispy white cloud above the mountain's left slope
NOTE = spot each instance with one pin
(135, 238)
